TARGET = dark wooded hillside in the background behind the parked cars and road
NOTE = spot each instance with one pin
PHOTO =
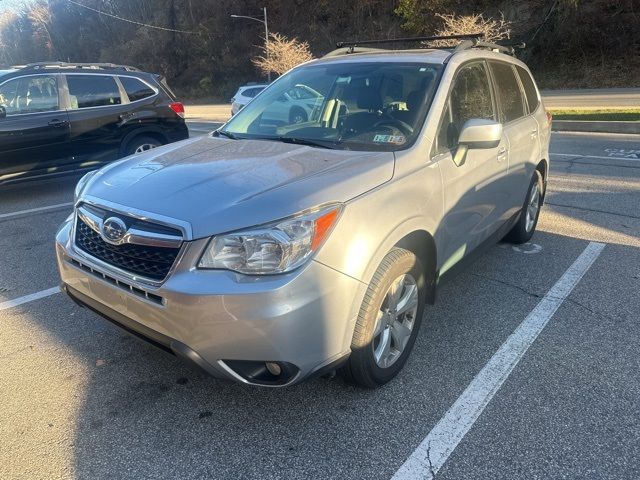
(205, 53)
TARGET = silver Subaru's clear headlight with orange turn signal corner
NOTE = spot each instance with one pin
(277, 248)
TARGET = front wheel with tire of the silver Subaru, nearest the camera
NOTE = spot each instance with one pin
(388, 322)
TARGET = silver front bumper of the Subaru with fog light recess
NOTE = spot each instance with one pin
(221, 320)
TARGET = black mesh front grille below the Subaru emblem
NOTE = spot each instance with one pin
(153, 263)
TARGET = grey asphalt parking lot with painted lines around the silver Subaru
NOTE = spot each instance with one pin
(80, 399)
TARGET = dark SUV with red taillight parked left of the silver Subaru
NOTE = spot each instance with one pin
(56, 117)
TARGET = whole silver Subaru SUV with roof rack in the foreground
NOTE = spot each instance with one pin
(279, 248)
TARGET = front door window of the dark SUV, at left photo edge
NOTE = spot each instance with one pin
(38, 93)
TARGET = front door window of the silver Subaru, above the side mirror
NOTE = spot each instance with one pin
(470, 98)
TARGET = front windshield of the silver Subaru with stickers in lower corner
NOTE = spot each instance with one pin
(347, 105)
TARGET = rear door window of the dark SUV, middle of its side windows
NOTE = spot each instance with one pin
(87, 91)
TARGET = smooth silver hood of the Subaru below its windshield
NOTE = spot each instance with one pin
(220, 185)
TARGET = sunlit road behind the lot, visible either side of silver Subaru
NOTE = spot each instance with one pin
(570, 99)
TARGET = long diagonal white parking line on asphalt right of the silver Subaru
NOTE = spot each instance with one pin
(434, 450)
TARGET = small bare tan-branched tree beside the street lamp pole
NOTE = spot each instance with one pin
(282, 54)
